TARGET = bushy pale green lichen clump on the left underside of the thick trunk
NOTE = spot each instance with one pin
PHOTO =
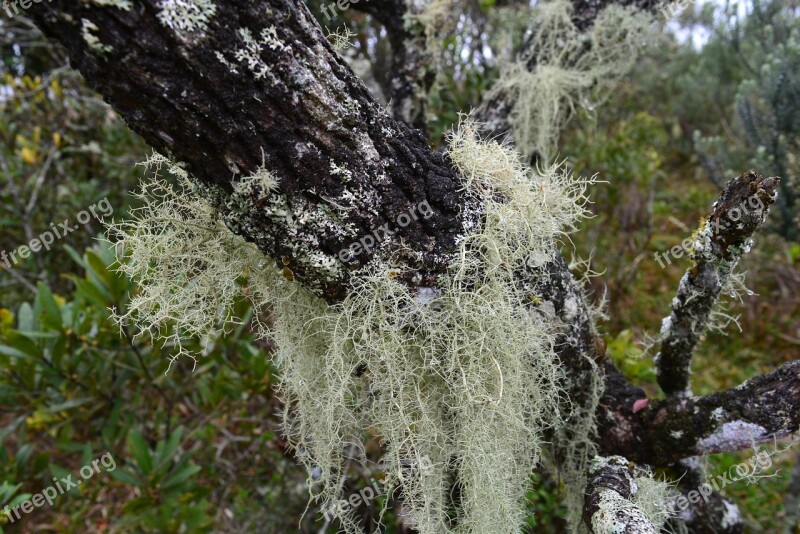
(186, 261)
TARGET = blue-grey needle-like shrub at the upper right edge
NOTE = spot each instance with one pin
(766, 131)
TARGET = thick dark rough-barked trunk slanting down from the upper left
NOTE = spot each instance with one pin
(345, 168)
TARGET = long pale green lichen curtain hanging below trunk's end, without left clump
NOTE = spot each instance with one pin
(447, 381)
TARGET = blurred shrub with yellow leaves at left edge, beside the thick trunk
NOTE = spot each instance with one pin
(58, 144)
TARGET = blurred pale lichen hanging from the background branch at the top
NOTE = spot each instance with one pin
(563, 66)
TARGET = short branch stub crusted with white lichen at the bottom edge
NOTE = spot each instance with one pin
(608, 506)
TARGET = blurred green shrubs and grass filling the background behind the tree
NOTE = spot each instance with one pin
(716, 93)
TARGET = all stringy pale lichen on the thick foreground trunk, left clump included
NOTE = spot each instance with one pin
(459, 382)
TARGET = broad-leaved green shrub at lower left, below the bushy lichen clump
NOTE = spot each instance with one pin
(73, 385)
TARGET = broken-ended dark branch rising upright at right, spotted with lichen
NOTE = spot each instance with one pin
(716, 248)
